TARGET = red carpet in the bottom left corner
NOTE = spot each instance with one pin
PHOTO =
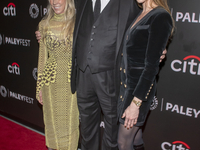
(16, 137)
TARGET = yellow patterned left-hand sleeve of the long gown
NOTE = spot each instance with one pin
(42, 58)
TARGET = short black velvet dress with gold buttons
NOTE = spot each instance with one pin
(143, 46)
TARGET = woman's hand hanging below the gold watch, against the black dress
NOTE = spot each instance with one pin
(131, 114)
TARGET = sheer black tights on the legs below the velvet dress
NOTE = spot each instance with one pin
(127, 138)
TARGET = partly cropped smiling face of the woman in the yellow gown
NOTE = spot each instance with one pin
(58, 6)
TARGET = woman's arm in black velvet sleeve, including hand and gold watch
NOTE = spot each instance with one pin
(160, 30)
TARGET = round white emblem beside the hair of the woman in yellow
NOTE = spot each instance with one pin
(34, 11)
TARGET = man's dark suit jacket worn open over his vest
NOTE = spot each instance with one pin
(128, 10)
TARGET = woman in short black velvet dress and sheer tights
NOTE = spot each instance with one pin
(144, 42)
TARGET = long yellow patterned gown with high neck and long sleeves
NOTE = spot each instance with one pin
(59, 105)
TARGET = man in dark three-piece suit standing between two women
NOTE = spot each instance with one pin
(95, 67)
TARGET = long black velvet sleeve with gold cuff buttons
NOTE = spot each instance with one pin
(159, 32)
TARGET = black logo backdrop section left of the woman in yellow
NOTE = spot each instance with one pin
(18, 59)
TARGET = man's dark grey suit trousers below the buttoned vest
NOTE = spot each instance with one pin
(96, 94)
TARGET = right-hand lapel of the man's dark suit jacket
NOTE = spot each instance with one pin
(124, 9)
